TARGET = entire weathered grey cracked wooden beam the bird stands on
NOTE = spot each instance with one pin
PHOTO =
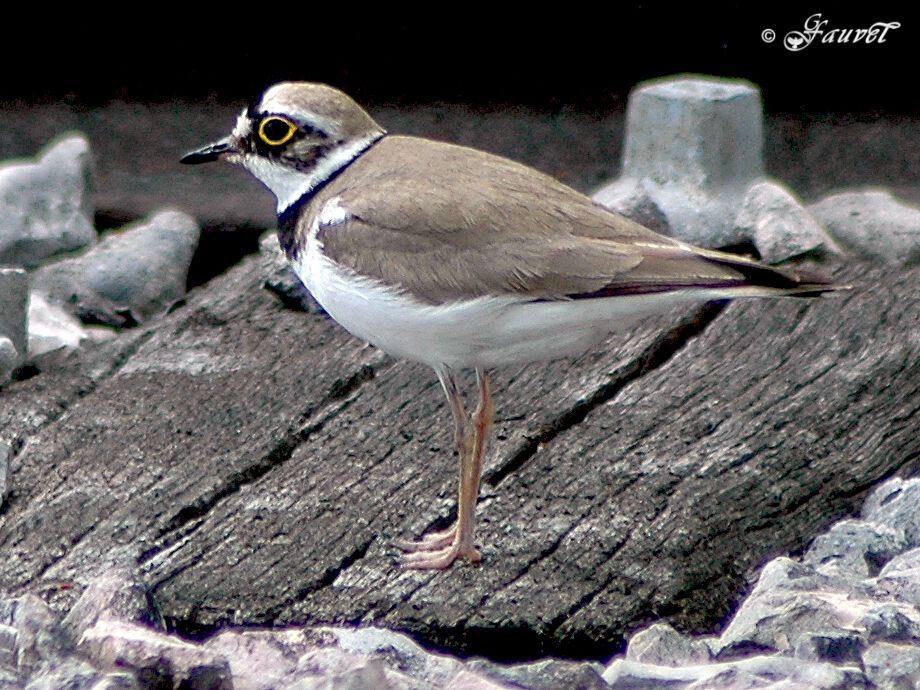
(255, 462)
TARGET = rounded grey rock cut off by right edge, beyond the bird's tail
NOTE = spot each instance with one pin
(872, 224)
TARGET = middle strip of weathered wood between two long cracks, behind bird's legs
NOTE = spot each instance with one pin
(382, 467)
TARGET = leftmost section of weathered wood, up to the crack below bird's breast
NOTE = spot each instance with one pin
(207, 401)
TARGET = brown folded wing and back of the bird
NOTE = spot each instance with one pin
(445, 222)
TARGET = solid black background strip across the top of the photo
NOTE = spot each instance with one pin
(563, 55)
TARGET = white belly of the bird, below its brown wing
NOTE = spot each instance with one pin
(483, 332)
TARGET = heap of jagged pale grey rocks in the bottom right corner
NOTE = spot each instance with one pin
(851, 603)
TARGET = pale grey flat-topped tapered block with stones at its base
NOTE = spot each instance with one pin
(693, 155)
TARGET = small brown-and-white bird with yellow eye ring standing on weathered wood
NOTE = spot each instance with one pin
(461, 259)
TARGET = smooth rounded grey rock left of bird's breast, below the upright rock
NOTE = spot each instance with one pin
(131, 275)
